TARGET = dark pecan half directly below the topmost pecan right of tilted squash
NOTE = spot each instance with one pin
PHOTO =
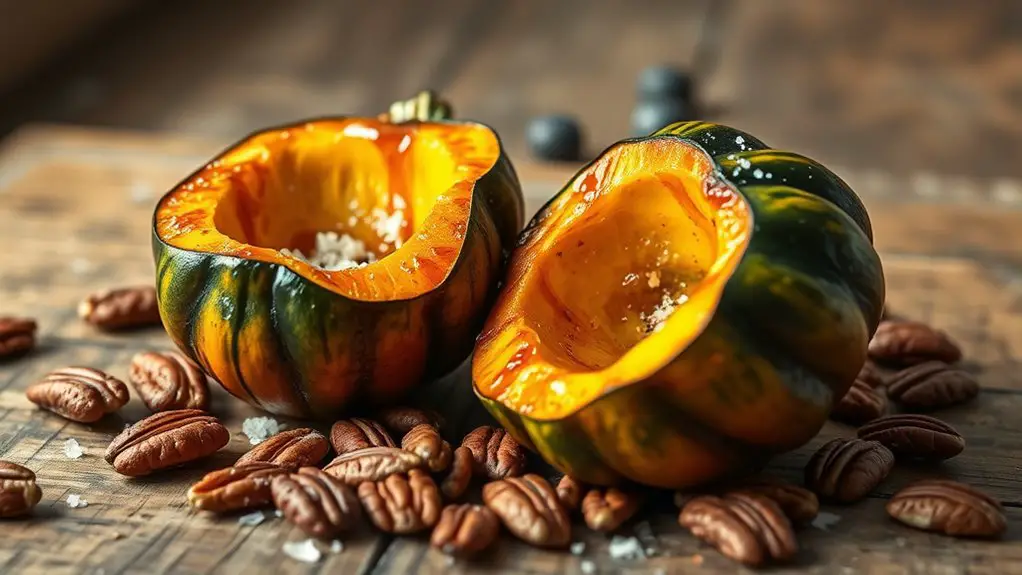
(932, 386)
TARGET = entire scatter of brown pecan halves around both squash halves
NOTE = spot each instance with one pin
(399, 473)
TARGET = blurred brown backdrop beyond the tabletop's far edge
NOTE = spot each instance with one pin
(909, 85)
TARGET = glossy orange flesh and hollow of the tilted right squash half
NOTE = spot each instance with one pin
(624, 273)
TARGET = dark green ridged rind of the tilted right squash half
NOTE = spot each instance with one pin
(810, 271)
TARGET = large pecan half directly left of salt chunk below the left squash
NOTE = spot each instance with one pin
(166, 440)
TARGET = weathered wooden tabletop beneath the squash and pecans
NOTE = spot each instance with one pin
(75, 211)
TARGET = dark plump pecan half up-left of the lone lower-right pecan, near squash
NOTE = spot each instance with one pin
(847, 470)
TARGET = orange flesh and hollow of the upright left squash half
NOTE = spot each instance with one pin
(280, 188)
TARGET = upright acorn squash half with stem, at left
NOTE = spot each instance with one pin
(436, 202)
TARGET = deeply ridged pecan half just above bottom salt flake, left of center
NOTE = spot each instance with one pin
(316, 503)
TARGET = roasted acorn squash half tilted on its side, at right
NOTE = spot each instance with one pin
(691, 304)
